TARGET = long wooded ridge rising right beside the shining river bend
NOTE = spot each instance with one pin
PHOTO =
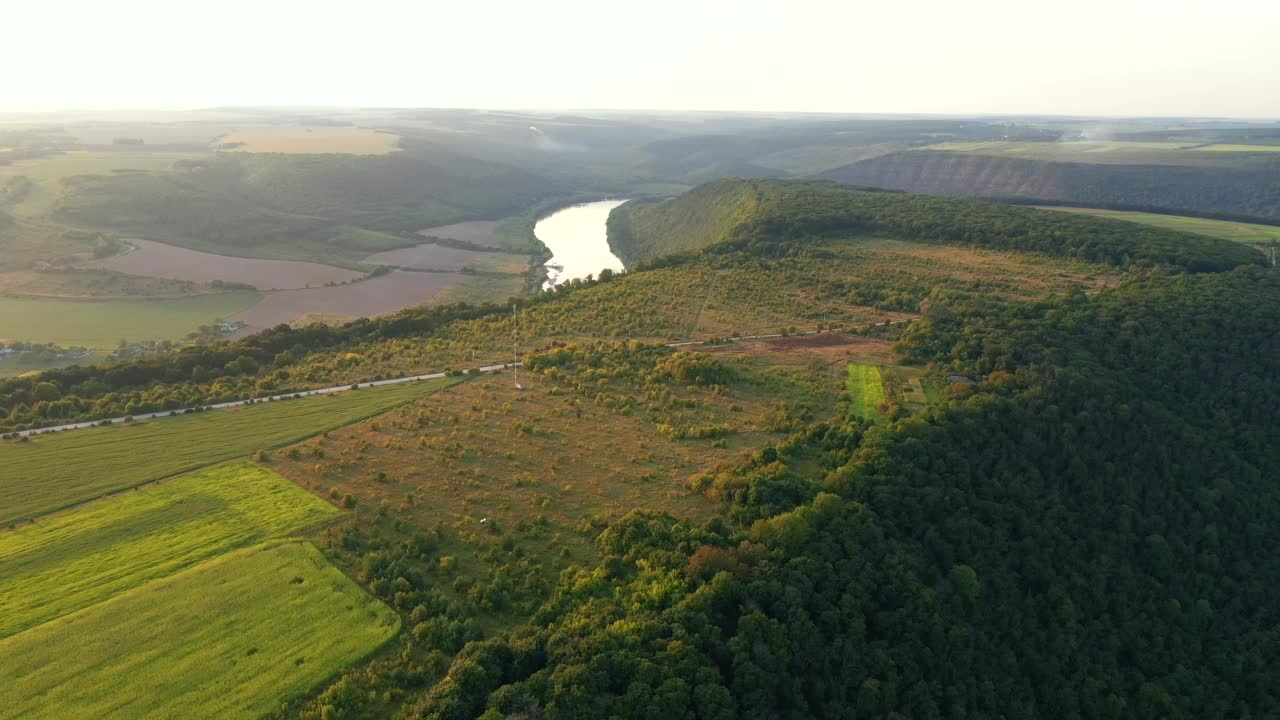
(765, 217)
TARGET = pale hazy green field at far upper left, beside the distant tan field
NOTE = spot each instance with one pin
(47, 174)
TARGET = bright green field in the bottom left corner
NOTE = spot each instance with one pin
(231, 639)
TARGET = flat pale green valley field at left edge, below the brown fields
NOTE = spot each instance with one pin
(104, 323)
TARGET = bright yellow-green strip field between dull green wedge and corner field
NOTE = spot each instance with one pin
(79, 559)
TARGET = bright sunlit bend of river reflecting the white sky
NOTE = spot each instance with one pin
(578, 240)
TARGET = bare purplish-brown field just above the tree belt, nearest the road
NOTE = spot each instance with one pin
(364, 299)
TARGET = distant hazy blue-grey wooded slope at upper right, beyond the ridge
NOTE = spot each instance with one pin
(1236, 193)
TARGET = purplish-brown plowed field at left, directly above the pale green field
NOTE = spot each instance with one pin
(161, 261)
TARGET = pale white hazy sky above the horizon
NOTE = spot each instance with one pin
(1109, 58)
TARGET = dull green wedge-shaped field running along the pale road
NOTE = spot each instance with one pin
(61, 470)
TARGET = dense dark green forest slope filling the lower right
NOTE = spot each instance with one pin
(1090, 532)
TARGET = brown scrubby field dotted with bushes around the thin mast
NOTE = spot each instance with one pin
(546, 458)
